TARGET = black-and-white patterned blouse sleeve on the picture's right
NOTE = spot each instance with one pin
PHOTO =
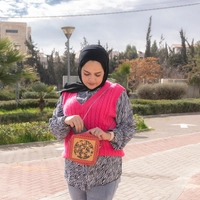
(125, 128)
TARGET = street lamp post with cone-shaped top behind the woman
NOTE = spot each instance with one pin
(68, 30)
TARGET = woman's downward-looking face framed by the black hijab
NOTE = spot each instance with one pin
(92, 74)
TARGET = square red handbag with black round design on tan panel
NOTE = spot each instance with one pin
(84, 148)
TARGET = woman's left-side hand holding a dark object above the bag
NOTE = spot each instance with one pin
(75, 121)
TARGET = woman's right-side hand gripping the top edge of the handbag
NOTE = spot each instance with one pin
(101, 134)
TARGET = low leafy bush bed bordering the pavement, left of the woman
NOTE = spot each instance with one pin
(25, 132)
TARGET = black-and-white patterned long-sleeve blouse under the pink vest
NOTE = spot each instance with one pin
(107, 168)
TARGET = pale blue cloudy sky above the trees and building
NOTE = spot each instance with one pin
(116, 23)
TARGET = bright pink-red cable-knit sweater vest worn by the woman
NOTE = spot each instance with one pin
(98, 111)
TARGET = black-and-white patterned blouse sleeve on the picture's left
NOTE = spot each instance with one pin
(56, 123)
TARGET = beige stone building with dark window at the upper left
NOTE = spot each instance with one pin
(17, 32)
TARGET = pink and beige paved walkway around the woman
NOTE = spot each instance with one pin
(162, 164)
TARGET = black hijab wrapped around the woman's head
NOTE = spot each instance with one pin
(90, 52)
